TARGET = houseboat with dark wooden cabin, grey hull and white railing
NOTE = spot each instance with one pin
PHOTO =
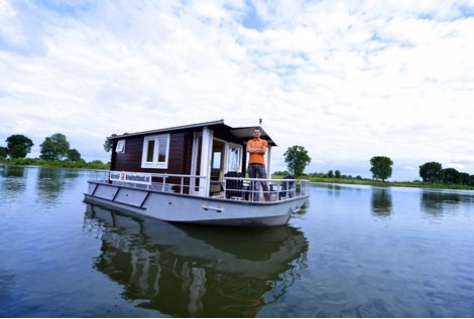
(195, 174)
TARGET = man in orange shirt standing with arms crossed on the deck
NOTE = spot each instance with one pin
(257, 147)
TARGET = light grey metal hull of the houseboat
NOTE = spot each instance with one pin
(175, 207)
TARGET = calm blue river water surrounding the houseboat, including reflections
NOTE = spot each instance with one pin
(355, 251)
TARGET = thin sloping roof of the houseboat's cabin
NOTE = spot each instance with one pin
(241, 133)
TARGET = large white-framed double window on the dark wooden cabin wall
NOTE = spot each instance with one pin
(155, 151)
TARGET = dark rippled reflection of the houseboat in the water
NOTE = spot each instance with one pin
(197, 271)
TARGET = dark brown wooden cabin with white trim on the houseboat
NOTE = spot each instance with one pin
(209, 149)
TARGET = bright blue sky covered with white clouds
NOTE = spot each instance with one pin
(346, 79)
